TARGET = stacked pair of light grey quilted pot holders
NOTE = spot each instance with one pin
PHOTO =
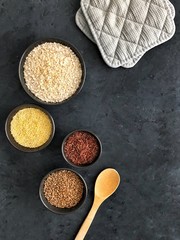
(125, 29)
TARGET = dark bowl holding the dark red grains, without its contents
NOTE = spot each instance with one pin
(82, 165)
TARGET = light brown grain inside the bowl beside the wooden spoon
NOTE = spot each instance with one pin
(63, 189)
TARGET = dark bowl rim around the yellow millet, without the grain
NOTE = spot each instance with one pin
(12, 140)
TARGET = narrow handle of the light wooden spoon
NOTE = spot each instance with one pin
(87, 222)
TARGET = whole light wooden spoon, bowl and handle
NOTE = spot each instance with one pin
(106, 184)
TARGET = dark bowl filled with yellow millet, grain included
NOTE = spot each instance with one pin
(29, 128)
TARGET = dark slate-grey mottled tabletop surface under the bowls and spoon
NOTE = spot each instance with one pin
(135, 112)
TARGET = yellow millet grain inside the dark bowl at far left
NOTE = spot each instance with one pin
(31, 127)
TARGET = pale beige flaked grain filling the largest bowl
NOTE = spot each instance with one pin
(52, 72)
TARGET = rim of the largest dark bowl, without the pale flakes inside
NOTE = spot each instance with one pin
(30, 48)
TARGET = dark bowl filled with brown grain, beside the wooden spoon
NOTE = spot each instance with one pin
(63, 190)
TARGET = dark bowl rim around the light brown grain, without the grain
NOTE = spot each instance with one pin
(62, 210)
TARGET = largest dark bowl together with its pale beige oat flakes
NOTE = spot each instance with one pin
(52, 71)
